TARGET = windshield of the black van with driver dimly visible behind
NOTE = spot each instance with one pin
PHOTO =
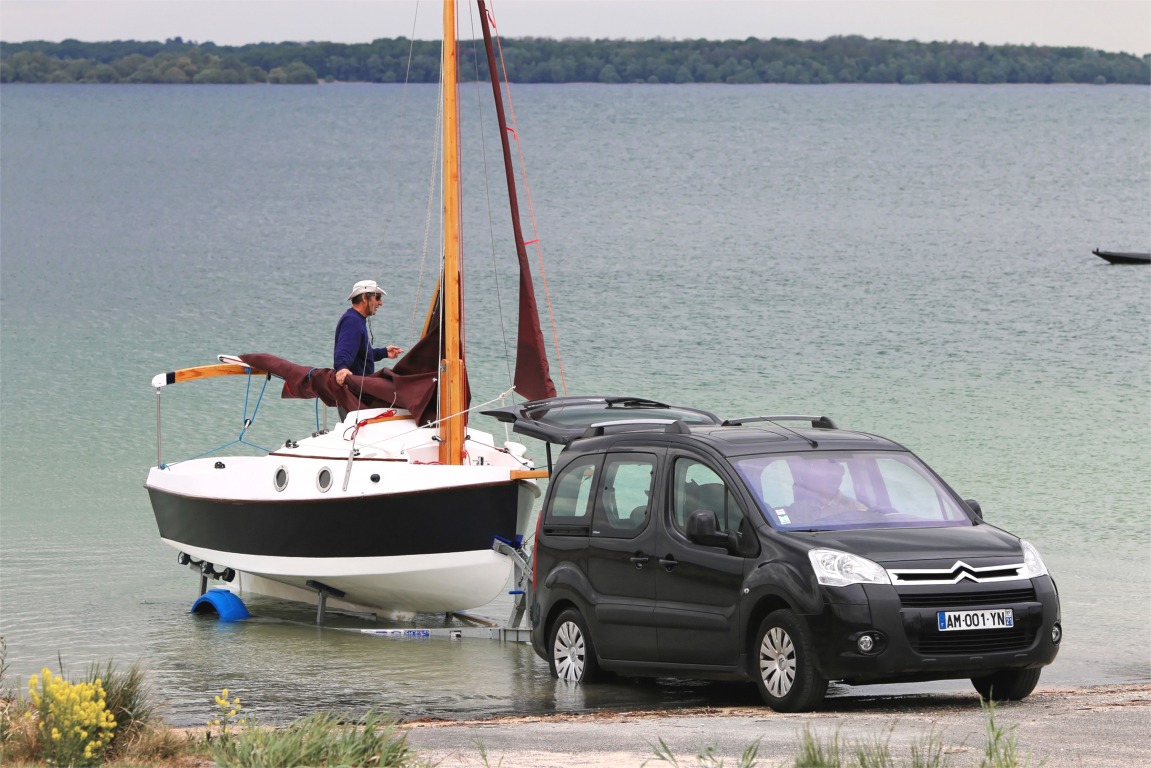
(839, 491)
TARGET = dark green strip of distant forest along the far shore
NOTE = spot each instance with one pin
(543, 60)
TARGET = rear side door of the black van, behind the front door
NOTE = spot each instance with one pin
(621, 559)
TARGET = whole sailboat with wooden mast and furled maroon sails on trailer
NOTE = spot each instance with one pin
(403, 507)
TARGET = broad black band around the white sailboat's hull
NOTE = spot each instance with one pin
(440, 521)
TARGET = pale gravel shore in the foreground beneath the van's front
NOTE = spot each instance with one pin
(1094, 727)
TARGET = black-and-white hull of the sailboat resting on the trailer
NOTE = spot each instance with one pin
(403, 537)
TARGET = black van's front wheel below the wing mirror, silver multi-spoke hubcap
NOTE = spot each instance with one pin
(786, 672)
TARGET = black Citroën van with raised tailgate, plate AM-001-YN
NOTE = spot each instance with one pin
(779, 550)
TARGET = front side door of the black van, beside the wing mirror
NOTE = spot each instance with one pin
(699, 588)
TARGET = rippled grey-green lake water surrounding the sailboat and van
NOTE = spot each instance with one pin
(913, 262)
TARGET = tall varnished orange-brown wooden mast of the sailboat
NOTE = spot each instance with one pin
(453, 421)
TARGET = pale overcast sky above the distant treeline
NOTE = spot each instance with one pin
(1115, 26)
